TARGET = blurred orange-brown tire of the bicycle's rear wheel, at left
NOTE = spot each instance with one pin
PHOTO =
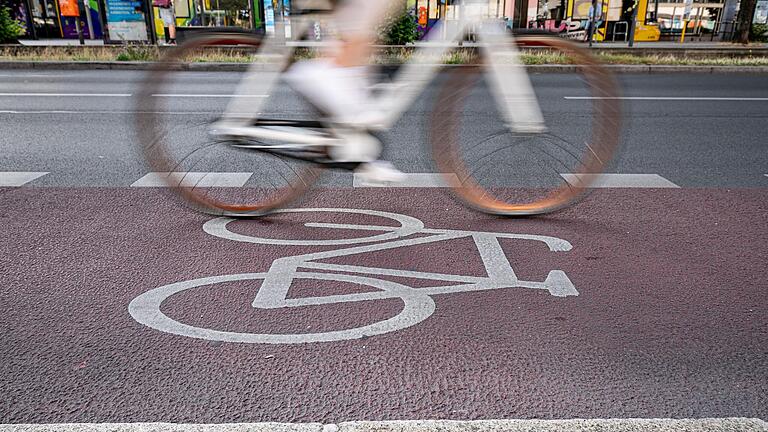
(162, 157)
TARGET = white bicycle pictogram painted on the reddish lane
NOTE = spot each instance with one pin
(418, 304)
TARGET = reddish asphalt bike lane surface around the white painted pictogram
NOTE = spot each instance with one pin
(670, 320)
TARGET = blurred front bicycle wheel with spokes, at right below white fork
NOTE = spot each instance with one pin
(498, 171)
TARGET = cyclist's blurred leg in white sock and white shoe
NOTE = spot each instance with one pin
(337, 84)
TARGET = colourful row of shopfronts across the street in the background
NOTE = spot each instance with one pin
(143, 20)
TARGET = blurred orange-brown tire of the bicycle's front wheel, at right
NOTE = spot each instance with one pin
(445, 137)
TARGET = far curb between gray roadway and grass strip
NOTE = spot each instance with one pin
(268, 67)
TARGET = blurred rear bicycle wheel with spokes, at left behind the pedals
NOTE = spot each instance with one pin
(176, 107)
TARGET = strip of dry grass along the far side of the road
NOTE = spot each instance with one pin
(386, 56)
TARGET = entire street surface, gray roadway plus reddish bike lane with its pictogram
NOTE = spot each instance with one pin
(120, 306)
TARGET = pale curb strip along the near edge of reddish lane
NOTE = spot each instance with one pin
(576, 425)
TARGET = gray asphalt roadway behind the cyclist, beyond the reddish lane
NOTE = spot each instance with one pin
(694, 130)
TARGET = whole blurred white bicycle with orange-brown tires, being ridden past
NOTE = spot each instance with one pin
(554, 167)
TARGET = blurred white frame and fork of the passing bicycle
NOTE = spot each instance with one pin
(509, 82)
